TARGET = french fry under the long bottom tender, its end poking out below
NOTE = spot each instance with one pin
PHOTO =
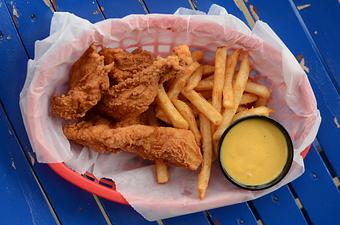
(161, 169)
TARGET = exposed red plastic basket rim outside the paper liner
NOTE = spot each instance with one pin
(104, 188)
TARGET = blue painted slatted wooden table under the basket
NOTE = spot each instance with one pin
(30, 193)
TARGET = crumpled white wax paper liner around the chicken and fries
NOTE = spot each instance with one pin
(293, 100)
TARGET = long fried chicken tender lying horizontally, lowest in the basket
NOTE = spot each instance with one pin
(174, 146)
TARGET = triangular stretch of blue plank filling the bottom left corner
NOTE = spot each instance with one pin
(19, 189)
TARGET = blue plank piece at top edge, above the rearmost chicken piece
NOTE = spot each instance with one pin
(115, 9)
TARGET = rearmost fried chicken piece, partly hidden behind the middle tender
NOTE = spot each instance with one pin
(126, 64)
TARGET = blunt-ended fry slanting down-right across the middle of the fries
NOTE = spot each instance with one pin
(203, 106)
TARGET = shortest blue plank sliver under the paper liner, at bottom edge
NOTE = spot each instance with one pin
(194, 218)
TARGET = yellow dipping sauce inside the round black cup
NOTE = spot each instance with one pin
(254, 152)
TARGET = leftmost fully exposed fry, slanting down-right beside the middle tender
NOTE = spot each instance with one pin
(170, 111)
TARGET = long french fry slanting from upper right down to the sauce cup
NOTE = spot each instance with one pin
(239, 87)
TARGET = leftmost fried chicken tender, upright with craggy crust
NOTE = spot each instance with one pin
(88, 78)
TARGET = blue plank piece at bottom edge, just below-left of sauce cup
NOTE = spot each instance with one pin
(233, 215)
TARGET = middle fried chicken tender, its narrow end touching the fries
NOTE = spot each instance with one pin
(132, 96)
